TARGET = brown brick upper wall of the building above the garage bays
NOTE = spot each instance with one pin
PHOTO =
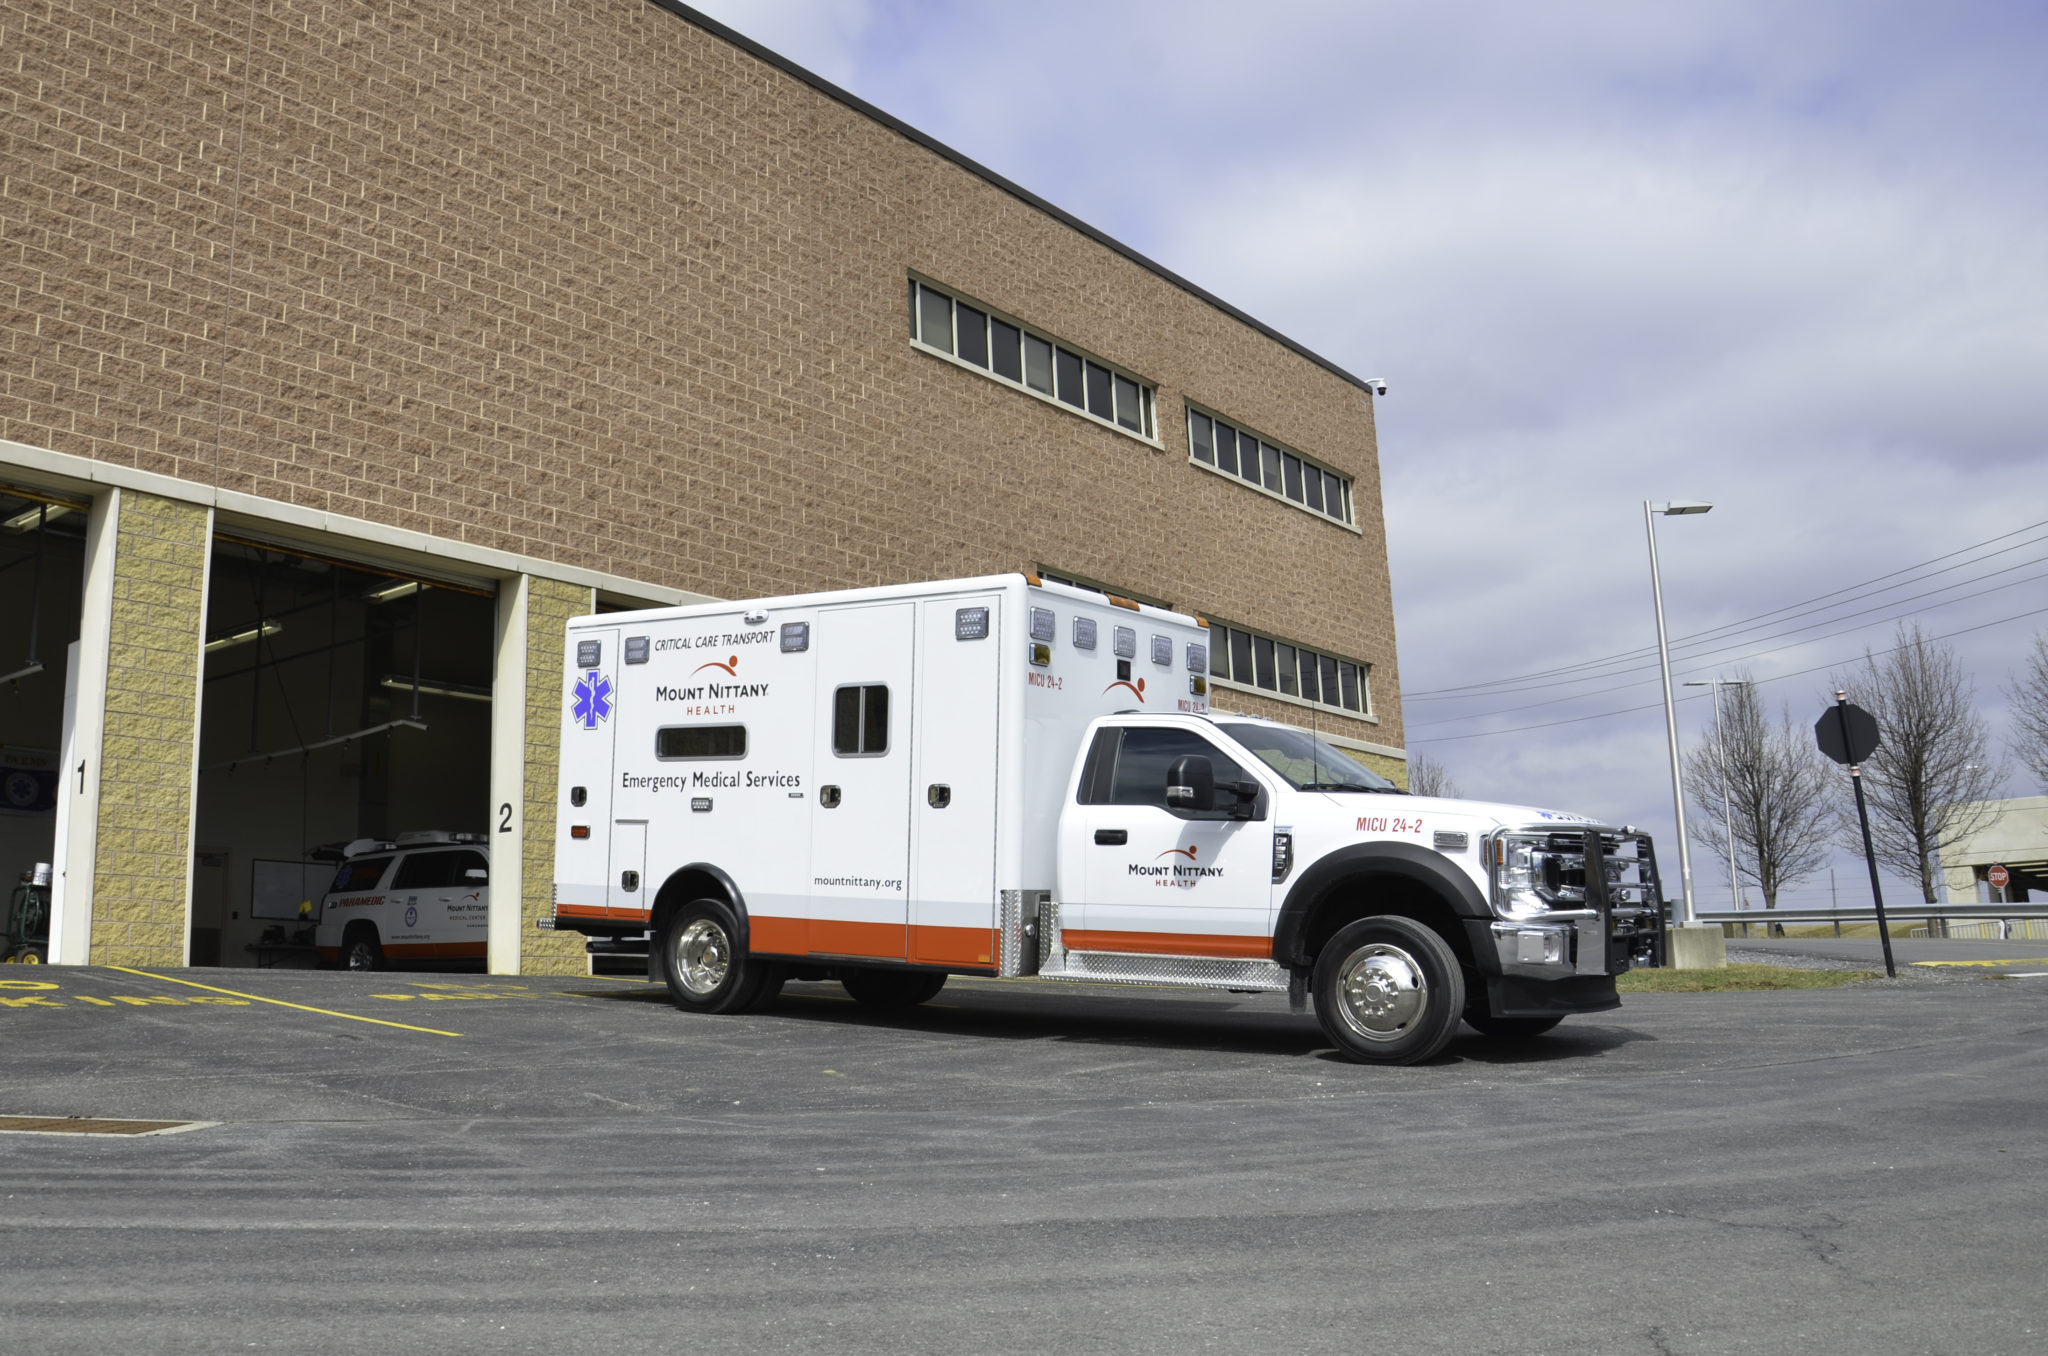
(587, 282)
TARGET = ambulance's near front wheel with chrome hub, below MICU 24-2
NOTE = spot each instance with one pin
(1388, 990)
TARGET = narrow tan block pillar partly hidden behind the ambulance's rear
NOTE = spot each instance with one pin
(550, 607)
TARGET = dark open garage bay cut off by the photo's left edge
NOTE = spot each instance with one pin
(42, 575)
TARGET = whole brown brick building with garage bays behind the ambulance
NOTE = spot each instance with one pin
(353, 347)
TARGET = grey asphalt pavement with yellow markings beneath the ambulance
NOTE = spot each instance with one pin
(419, 1162)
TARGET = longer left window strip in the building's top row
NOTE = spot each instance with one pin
(1013, 353)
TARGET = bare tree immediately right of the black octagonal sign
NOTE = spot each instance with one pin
(1930, 781)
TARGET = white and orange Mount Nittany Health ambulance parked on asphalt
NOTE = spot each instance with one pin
(1011, 777)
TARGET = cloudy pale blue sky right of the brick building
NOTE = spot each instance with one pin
(1783, 259)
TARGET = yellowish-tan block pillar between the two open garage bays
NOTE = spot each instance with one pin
(153, 718)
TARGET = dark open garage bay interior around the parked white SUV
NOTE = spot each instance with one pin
(341, 706)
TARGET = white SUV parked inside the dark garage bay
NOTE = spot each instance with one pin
(417, 898)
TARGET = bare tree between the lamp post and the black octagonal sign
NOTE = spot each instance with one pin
(1777, 794)
